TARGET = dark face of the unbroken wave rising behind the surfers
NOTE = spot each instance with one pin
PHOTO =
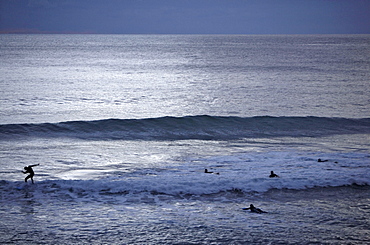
(191, 127)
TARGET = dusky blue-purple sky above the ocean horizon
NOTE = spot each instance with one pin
(186, 16)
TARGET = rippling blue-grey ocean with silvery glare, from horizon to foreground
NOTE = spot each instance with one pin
(124, 126)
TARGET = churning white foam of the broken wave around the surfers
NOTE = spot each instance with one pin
(243, 172)
